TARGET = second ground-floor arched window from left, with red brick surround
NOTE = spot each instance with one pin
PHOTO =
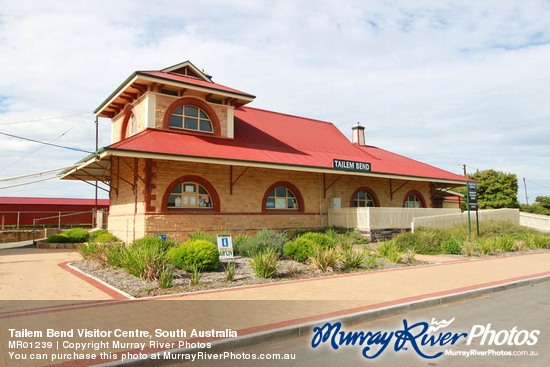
(283, 196)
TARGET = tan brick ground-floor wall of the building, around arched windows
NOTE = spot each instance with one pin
(240, 207)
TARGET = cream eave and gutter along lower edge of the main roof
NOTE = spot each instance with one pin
(96, 167)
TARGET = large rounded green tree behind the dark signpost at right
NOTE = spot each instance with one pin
(496, 189)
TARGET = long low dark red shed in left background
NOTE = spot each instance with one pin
(21, 211)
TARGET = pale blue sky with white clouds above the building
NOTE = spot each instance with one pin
(448, 83)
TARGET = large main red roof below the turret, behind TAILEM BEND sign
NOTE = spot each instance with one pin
(275, 138)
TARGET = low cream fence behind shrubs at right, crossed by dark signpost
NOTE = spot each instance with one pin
(451, 220)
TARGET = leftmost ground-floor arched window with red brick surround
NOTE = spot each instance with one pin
(191, 193)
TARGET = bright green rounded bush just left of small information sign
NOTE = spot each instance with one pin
(195, 253)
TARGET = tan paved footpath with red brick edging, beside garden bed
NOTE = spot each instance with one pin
(244, 310)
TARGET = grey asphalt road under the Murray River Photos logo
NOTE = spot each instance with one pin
(526, 309)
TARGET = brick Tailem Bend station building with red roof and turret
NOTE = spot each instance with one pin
(187, 154)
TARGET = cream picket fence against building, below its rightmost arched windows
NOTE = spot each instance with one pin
(367, 219)
